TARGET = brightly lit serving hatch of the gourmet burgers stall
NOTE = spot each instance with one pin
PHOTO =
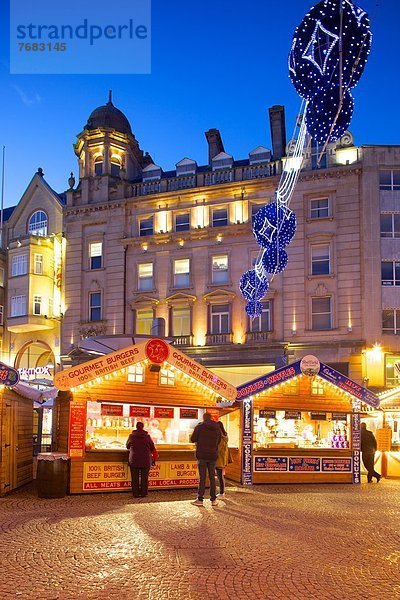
(108, 425)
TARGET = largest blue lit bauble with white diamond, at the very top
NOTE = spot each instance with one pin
(315, 53)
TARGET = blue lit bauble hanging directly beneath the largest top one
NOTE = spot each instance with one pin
(325, 118)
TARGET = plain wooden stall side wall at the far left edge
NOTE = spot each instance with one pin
(16, 439)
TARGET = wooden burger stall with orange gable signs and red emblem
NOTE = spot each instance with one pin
(101, 401)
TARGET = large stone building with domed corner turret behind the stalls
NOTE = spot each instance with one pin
(144, 244)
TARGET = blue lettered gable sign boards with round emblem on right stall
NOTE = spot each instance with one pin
(308, 366)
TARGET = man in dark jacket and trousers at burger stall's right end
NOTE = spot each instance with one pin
(206, 436)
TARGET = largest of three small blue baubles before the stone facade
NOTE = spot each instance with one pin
(272, 223)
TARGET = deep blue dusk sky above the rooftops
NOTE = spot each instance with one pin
(216, 63)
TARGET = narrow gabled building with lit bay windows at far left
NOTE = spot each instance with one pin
(32, 305)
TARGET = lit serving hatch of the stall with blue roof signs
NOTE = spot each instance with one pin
(300, 429)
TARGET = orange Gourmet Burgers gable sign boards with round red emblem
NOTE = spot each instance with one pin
(155, 351)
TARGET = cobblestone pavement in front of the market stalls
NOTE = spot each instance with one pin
(311, 541)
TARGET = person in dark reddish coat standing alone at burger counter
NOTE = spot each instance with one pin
(142, 455)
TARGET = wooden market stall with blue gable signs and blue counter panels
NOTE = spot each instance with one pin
(301, 424)
